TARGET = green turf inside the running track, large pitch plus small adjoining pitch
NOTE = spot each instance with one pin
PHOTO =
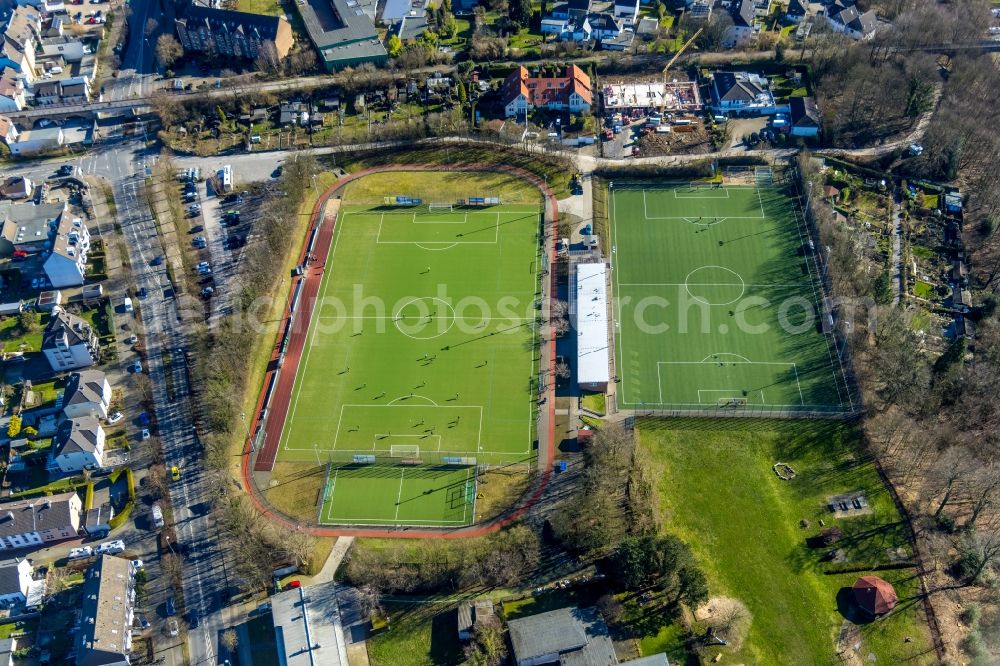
(419, 361)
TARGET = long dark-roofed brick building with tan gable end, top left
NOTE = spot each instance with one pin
(232, 34)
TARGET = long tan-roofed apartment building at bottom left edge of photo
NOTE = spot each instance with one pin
(105, 634)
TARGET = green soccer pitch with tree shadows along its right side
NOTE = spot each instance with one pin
(717, 303)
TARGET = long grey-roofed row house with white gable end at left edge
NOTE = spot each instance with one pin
(39, 520)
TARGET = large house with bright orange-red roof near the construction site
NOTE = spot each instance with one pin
(521, 93)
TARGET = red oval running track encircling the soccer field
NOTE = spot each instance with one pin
(281, 395)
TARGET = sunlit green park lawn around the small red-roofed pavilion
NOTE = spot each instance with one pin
(718, 492)
